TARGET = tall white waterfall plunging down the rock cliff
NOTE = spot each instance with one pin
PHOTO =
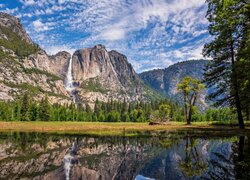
(69, 84)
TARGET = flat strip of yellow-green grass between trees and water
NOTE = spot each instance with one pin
(97, 128)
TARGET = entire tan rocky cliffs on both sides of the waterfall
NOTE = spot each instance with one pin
(96, 73)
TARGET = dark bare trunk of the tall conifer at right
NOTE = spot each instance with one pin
(236, 91)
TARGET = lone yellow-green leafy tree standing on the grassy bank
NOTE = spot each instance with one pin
(190, 89)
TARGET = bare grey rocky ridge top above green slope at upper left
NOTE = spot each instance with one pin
(15, 26)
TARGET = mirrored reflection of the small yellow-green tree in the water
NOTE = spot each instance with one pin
(192, 165)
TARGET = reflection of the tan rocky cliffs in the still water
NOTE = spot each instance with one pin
(109, 158)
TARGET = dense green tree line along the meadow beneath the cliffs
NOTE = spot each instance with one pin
(26, 108)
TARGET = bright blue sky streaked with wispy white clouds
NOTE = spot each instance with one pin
(151, 33)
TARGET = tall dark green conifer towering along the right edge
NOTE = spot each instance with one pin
(229, 22)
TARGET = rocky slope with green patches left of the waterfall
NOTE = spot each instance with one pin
(24, 67)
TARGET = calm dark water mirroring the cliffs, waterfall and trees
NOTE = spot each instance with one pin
(172, 156)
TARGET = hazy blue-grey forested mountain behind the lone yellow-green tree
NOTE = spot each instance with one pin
(165, 80)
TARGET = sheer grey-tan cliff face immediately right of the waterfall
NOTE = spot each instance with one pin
(104, 75)
